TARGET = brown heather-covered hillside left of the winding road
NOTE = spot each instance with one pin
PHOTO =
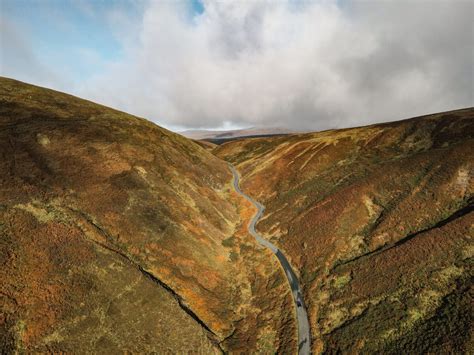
(118, 235)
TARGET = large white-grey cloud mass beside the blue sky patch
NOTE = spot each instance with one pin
(316, 64)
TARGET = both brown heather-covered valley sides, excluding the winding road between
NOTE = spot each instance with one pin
(117, 235)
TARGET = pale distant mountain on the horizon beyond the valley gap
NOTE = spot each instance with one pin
(211, 135)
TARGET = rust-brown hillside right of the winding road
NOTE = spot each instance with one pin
(379, 222)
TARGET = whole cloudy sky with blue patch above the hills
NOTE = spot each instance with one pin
(303, 65)
